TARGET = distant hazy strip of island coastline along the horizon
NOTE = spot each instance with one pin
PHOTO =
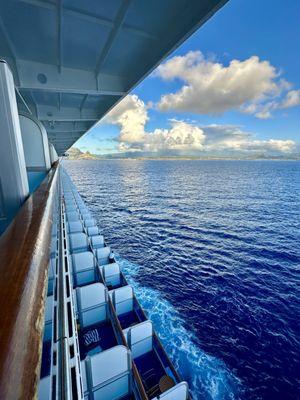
(76, 154)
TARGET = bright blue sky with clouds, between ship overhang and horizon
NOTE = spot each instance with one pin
(263, 37)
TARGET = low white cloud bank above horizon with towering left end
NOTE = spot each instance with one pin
(131, 115)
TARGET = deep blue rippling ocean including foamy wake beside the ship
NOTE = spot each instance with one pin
(212, 249)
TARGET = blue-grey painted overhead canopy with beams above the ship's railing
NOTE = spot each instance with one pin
(73, 60)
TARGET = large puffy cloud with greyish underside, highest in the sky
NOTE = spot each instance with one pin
(212, 88)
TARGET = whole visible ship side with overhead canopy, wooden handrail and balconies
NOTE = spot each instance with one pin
(72, 327)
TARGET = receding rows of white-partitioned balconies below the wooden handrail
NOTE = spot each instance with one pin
(93, 318)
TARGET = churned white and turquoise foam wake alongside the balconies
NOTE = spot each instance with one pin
(208, 377)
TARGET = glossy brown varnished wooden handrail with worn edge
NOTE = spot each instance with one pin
(24, 258)
